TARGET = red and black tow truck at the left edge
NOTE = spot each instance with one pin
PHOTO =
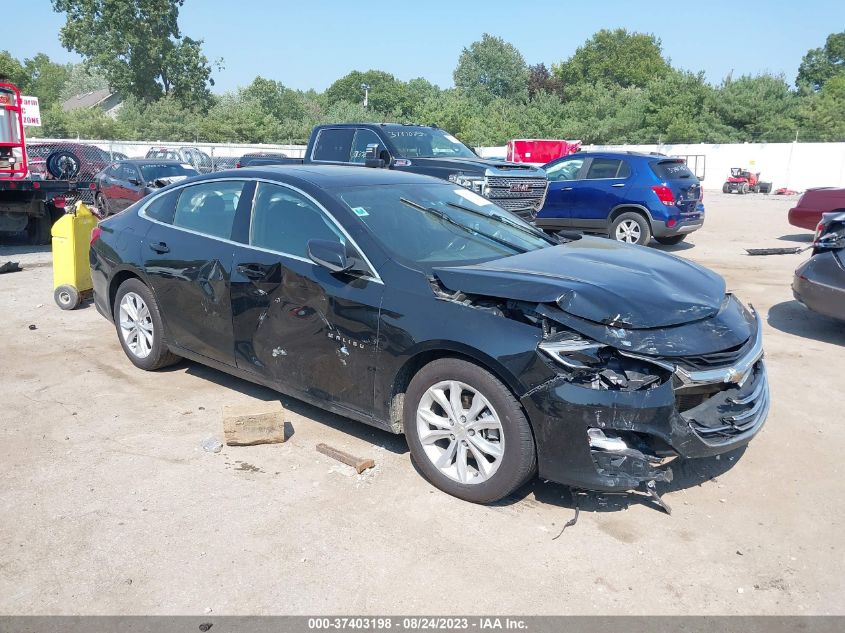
(31, 202)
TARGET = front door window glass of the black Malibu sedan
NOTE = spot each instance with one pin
(284, 221)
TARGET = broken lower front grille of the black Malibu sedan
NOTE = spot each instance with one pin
(723, 412)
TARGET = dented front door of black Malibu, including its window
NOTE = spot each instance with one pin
(295, 322)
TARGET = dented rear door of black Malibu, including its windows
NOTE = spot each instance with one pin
(187, 256)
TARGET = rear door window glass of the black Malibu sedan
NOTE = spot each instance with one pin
(209, 208)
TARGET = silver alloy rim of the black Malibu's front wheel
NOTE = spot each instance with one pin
(460, 432)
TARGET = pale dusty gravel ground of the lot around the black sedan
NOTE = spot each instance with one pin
(109, 505)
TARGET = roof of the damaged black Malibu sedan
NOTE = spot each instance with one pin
(327, 175)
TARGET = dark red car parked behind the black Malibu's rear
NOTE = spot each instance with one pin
(127, 181)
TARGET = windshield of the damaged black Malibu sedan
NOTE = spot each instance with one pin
(435, 224)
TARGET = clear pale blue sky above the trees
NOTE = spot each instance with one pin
(309, 44)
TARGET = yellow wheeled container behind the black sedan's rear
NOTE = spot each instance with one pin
(71, 271)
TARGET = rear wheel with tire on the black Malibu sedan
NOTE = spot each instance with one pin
(141, 314)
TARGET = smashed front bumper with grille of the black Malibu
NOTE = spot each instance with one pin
(612, 439)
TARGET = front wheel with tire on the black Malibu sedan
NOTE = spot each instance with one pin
(505, 429)
